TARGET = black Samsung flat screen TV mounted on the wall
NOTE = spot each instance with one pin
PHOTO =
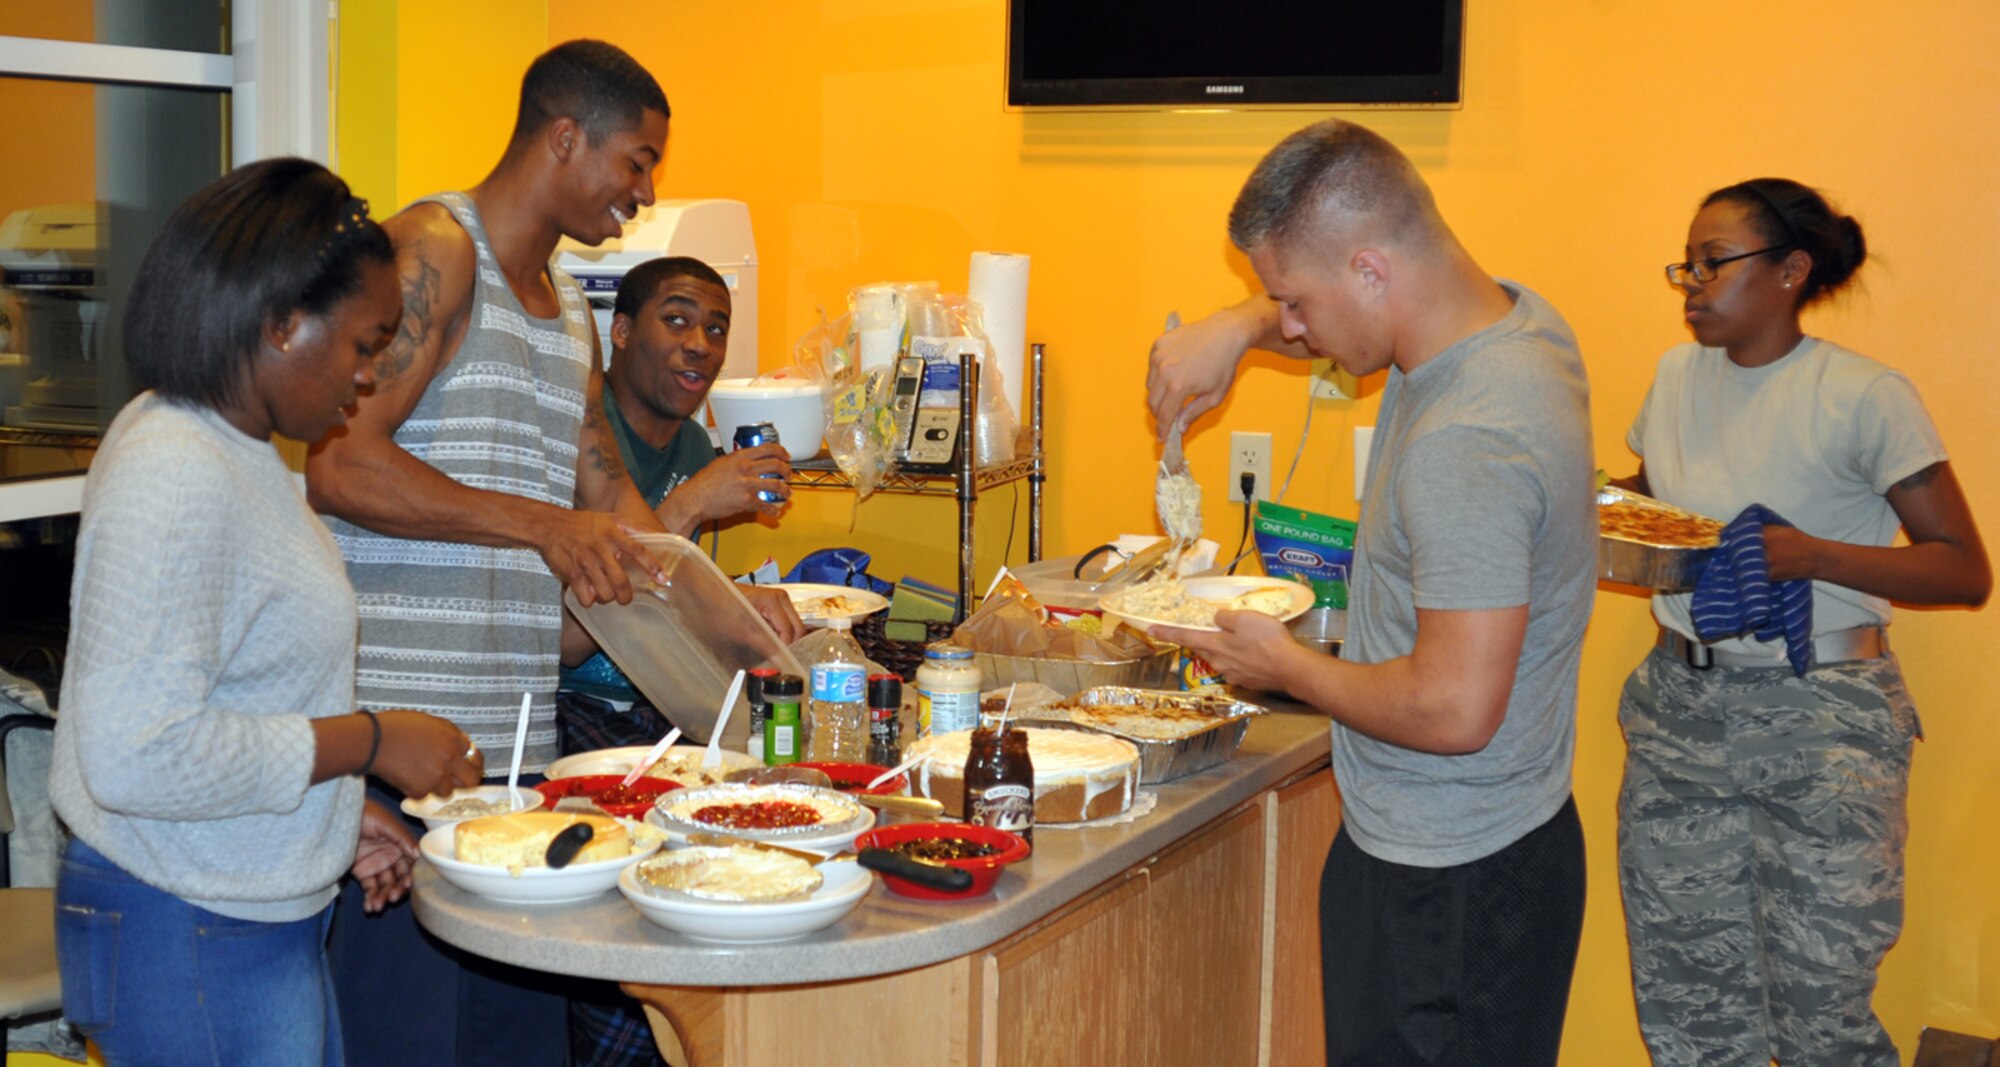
(1233, 53)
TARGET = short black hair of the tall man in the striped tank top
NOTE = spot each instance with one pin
(595, 83)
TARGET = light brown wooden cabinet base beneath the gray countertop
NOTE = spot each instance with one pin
(1205, 954)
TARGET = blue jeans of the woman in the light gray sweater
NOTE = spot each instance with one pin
(157, 980)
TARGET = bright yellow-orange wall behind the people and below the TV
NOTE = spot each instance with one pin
(871, 143)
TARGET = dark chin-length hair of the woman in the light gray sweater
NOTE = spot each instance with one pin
(247, 251)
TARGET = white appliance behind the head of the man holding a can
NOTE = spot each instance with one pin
(711, 231)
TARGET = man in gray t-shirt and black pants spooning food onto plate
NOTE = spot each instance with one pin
(1453, 898)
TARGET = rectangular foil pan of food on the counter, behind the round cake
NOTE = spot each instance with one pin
(1177, 734)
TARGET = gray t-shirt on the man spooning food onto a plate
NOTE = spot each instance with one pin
(1479, 497)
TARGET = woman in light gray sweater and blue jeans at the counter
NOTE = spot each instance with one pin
(209, 756)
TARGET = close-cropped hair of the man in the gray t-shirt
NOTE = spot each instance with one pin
(1333, 173)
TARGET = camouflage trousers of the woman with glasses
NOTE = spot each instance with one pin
(1761, 838)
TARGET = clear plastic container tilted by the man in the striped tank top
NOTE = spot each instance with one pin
(683, 642)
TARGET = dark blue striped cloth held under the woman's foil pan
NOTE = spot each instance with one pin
(1737, 594)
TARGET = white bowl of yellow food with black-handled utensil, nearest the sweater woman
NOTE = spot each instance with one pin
(503, 858)
